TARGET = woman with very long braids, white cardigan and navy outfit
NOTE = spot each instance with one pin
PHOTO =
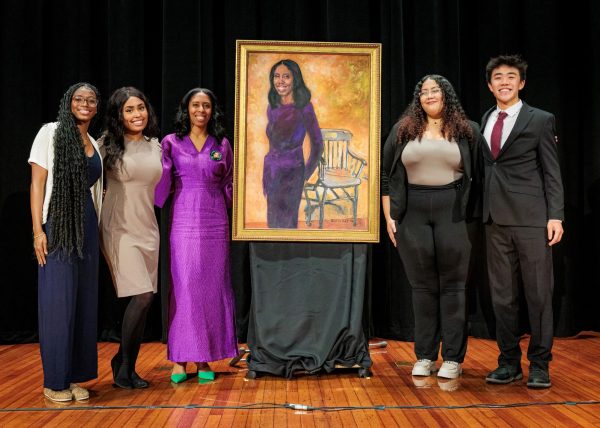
(66, 195)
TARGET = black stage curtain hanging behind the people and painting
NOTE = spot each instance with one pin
(166, 47)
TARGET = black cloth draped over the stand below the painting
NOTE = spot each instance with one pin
(307, 307)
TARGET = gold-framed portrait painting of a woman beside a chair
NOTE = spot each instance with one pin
(307, 141)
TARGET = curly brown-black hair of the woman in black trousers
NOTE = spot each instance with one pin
(455, 125)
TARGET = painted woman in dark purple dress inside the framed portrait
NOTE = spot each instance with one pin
(291, 115)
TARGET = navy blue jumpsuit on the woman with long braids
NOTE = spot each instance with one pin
(68, 304)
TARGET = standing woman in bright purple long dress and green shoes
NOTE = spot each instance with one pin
(197, 168)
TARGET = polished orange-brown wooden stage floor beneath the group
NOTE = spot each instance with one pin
(344, 399)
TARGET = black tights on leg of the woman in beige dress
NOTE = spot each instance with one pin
(132, 331)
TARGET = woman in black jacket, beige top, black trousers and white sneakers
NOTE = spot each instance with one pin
(429, 165)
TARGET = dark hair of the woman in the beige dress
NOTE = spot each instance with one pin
(114, 130)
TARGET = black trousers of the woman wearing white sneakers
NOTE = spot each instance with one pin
(435, 249)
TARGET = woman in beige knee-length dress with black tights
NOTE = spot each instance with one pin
(128, 227)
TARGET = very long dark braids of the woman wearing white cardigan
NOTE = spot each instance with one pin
(70, 186)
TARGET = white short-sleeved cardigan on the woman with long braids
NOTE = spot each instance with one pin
(42, 154)
